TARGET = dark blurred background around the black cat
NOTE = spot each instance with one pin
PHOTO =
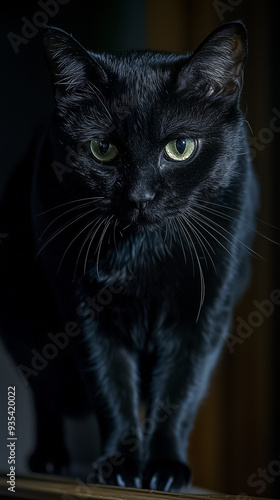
(235, 445)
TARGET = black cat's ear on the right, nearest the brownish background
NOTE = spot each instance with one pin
(216, 67)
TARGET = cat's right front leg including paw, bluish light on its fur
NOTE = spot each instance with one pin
(178, 385)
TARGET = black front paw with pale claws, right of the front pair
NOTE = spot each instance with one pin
(167, 475)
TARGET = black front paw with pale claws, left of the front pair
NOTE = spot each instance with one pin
(118, 471)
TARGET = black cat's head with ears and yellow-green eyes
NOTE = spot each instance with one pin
(152, 132)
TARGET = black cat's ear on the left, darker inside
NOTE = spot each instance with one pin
(71, 66)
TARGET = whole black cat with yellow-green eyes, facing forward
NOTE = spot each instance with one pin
(130, 229)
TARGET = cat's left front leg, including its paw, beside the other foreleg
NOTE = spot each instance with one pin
(116, 403)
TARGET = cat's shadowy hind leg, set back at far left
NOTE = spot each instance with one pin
(50, 455)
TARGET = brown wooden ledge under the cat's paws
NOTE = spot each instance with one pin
(48, 488)
